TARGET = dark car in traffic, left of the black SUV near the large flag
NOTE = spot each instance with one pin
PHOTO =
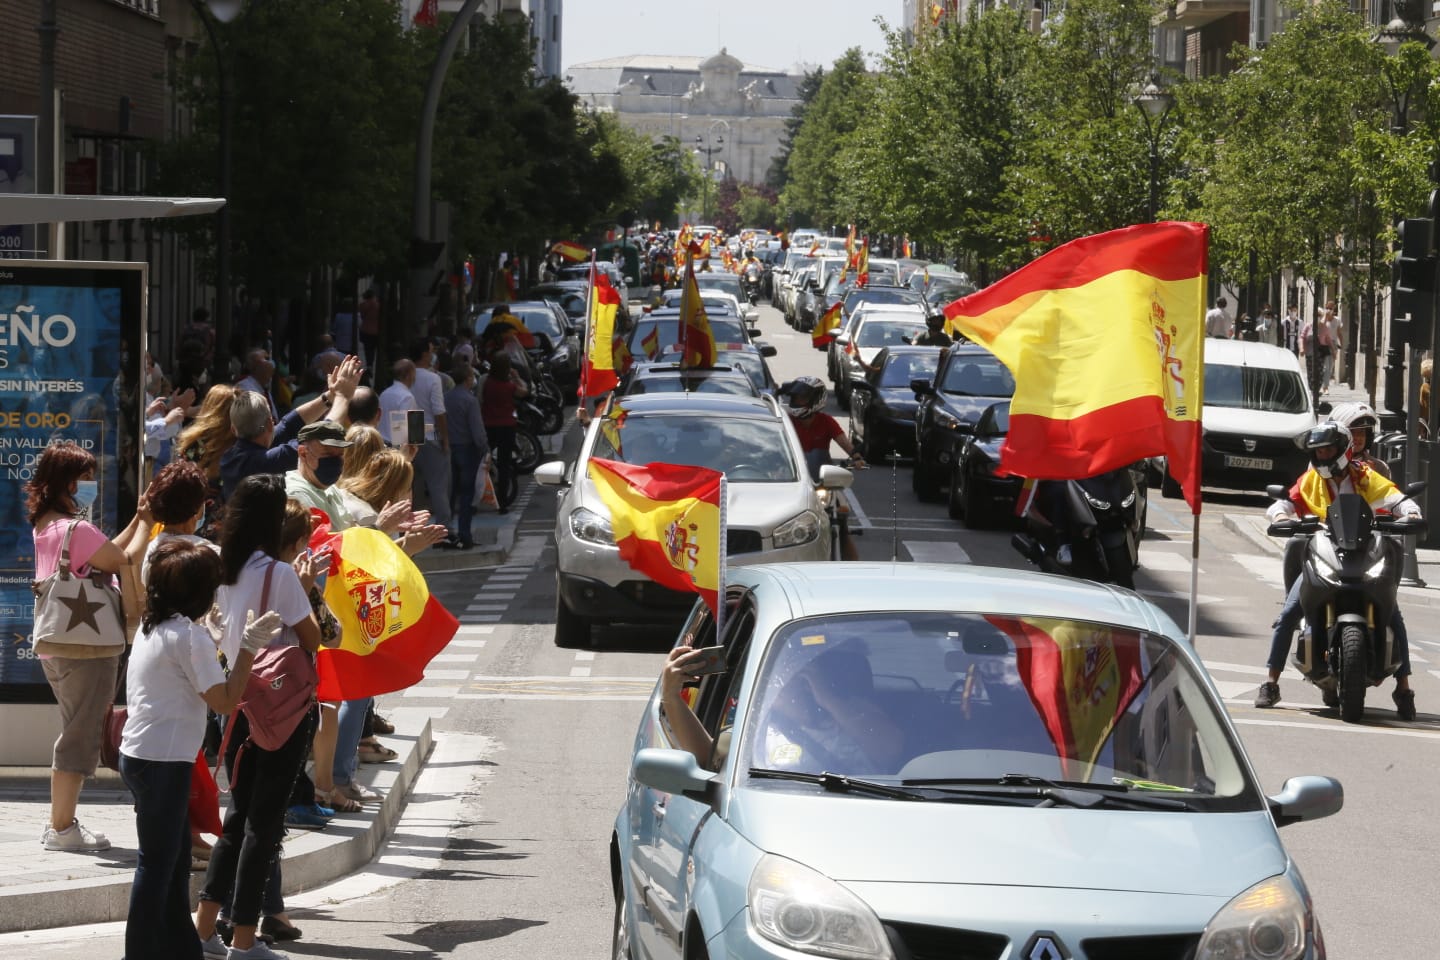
(883, 404)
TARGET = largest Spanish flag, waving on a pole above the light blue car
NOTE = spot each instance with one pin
(1105, 338)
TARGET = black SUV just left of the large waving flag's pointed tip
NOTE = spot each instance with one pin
(970, 379)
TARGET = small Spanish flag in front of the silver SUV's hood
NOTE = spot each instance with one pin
(669, 523)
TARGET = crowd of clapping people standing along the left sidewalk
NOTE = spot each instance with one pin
(218, 581)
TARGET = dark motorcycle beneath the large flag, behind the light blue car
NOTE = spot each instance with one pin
(1104, 517)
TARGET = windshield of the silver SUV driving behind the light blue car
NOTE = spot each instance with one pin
(748, 450)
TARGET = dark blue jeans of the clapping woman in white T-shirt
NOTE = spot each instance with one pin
(159, 923)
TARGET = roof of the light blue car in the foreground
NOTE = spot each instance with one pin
(820, 588)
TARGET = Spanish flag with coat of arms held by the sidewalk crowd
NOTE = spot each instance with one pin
(391, 624)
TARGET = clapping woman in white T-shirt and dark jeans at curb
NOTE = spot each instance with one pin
(174, 676)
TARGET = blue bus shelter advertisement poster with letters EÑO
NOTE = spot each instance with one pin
(71, 356)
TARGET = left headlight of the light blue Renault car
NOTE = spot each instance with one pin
(804, 910)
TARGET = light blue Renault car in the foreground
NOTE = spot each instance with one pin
(961, 764)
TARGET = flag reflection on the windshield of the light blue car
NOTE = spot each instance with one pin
(1081, 681)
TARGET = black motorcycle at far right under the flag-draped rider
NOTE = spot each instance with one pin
(1350, 578)
